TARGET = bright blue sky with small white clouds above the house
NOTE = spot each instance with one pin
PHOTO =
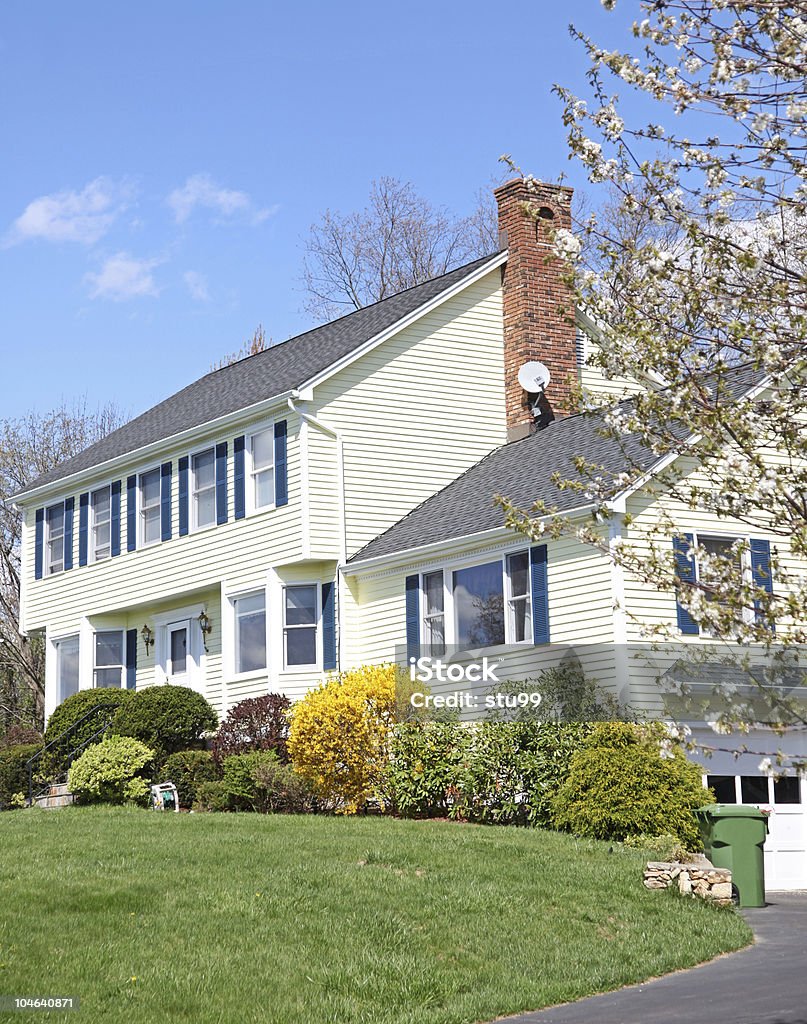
(163, 163)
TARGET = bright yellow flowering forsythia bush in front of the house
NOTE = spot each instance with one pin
(339, 735)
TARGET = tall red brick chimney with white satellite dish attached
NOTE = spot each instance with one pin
(539, 306)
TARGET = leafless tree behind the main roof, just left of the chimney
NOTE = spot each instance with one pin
(398, 241)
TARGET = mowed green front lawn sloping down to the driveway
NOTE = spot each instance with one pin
(224, 918)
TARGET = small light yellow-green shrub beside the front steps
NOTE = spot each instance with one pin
(111, 772)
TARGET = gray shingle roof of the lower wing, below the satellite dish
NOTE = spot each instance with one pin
(523, 473)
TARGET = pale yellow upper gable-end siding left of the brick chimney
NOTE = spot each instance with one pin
(415, 414)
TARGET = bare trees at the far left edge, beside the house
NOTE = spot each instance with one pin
(29, 447)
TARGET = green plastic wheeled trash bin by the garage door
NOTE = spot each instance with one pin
(734, 837)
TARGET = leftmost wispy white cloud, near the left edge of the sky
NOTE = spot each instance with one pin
(72, 217)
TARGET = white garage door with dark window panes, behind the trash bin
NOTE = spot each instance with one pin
(786, 799)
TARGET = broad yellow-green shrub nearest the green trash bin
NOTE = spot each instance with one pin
(627, 781)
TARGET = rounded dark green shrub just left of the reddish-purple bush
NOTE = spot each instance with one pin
(168, 719)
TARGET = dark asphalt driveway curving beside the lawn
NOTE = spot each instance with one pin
(764, 985)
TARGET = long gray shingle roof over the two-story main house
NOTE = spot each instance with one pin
(276, 371)
